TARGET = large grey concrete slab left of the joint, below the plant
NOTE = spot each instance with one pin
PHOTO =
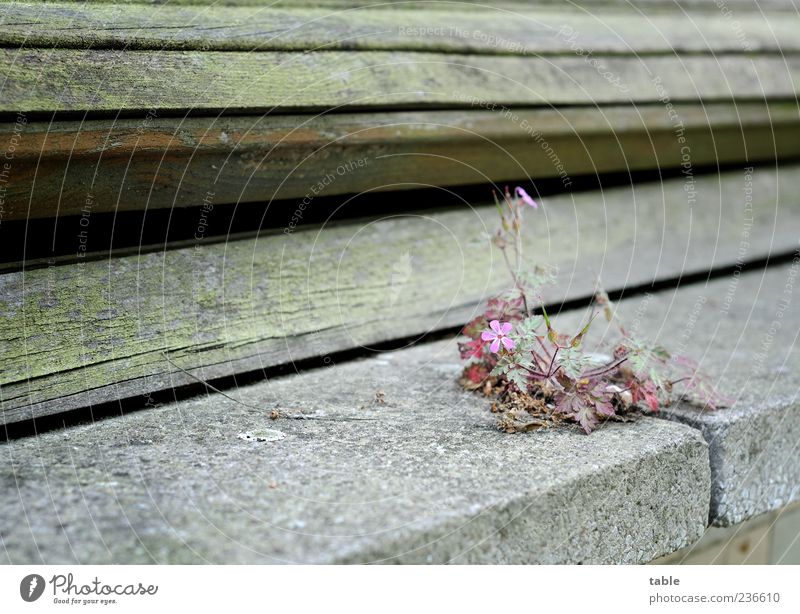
(426, 479)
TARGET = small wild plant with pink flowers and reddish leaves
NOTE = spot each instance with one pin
(540, 377)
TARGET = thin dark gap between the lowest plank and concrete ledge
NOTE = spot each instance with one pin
(127, 406)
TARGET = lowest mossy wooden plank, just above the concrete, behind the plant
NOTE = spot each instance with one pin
(95, 331)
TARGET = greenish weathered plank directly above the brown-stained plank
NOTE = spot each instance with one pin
(40, 80)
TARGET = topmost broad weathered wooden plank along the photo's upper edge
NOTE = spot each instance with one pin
(265, 28)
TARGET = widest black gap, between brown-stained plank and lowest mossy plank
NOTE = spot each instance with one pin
(39, 243)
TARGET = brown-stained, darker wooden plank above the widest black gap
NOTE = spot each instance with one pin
(161, 163)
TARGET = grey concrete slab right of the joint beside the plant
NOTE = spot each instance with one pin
(744, 329)
